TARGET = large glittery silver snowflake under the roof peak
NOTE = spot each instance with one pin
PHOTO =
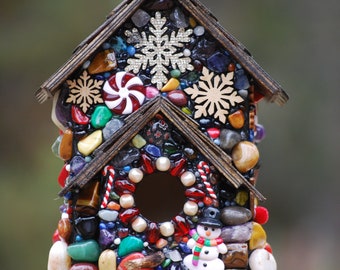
(159, 50)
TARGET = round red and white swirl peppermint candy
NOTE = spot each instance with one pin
(123, 93)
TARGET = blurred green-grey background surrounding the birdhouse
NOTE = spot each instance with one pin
(297, 42)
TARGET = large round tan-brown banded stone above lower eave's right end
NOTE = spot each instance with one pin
(245, 156)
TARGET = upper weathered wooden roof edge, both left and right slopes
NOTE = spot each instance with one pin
(266, 85)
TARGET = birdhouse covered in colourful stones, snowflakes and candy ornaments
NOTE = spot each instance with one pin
(158, 134)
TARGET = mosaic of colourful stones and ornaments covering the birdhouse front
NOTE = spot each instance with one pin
(160, 50)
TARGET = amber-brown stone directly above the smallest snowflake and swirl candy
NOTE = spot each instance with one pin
(104, 61)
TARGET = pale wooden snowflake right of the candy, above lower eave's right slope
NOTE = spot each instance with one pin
(214, 95)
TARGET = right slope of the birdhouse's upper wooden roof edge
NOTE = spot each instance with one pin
(269, 88)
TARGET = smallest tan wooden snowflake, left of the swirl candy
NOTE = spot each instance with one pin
(84, 91)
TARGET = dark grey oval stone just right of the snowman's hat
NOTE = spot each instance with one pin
(235, 215)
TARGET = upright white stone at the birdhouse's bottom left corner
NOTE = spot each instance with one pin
(58, 258)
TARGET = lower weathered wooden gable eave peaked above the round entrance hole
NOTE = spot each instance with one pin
(188, 128)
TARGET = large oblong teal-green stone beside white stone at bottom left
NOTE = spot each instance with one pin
(87, 250)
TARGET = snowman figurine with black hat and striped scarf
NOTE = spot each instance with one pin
(206, 245)
